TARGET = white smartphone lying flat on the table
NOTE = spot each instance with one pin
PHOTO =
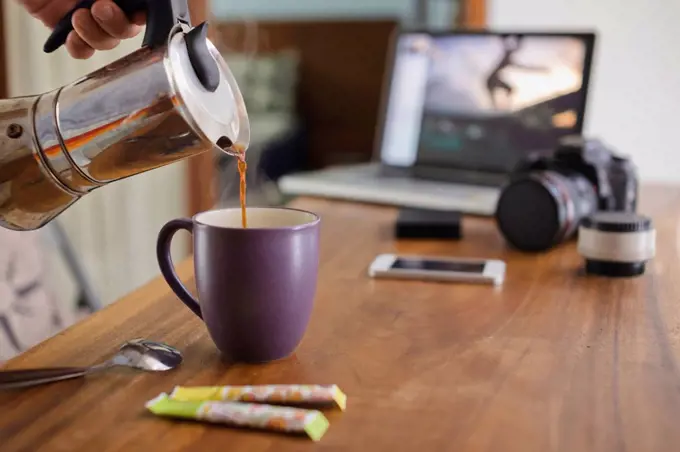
(438, 269)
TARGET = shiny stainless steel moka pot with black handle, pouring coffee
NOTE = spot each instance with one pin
(171, 99)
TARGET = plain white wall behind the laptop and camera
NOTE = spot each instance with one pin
(635, 93)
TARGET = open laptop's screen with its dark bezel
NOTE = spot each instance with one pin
(482, 101)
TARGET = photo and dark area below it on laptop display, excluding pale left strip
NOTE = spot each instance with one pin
(491, 99)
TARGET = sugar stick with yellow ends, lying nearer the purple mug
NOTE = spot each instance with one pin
(276, 394)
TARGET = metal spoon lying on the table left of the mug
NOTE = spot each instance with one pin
(138, 354)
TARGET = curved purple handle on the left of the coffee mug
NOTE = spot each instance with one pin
(165, 262)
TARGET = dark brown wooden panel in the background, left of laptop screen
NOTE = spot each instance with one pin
(340, 77)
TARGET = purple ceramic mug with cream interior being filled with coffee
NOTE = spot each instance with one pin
(256, 286)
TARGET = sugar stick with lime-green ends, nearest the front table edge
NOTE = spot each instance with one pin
(265, 417)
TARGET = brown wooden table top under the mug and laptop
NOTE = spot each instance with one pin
(552, 361)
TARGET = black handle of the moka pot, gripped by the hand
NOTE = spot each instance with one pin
(161, 16)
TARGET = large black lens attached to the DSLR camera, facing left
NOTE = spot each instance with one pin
(539, 210)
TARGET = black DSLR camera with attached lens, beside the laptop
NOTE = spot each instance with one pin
(548, 195)
